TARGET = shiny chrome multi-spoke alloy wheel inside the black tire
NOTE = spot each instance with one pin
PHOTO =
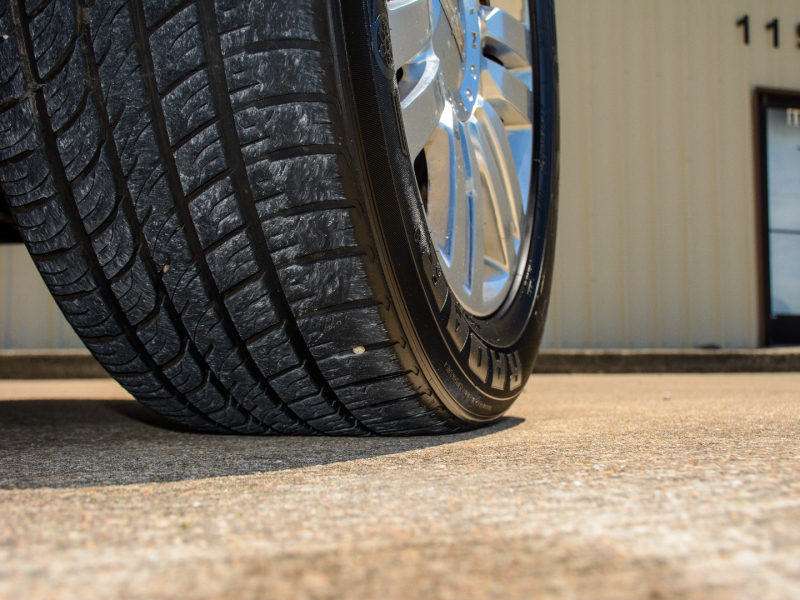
(465, 83)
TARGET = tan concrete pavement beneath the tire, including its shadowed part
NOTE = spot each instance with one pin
(594, 486)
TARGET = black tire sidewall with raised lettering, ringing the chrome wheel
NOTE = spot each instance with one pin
(476, 366)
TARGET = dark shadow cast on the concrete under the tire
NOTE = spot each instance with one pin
(77, 443)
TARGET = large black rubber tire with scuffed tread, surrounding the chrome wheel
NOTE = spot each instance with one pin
(196, 182)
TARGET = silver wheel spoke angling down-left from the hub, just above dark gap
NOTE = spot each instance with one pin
(423, 107)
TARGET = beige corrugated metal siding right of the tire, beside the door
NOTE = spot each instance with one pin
(657, 234)
